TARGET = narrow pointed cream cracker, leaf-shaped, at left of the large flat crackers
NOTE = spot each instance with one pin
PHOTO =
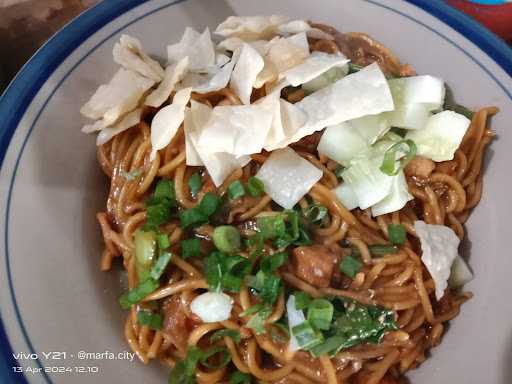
(166, 122)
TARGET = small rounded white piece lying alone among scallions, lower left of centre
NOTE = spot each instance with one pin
(212, 307)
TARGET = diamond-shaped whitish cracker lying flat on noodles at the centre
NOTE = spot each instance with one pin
(288, 177)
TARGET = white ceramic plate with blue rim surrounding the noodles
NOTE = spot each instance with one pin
(53, 297)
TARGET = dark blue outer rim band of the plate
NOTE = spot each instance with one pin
(17, 96)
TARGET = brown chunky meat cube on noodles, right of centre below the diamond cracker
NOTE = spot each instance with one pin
(315, 264)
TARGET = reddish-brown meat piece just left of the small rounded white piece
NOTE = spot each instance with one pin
(176, 323)
